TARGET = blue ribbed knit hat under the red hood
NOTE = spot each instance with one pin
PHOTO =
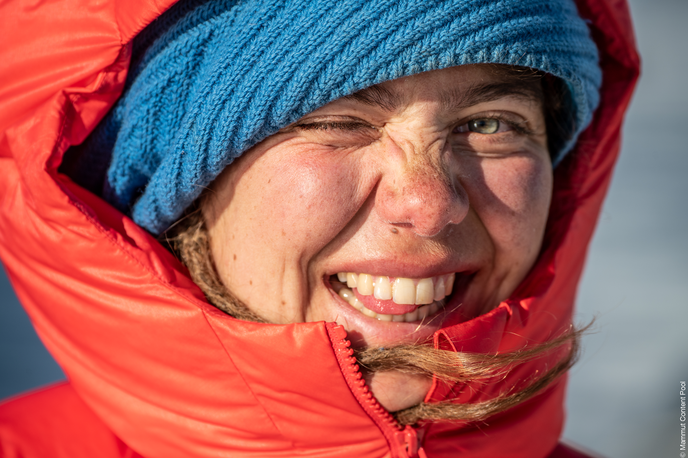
(210, 79)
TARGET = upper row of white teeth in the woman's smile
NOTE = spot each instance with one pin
(401, 290)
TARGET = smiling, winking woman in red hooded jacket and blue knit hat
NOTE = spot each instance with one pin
(384, 205)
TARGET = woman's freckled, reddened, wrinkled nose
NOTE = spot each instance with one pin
(419, 192)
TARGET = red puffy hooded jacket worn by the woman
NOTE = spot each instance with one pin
(154, 370)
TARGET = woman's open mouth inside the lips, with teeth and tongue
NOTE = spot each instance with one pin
(394, 299)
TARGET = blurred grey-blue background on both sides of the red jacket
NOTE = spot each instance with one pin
(623, 395)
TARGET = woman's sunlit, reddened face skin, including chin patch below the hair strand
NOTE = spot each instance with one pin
(435, 178)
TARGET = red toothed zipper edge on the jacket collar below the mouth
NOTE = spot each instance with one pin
(403, 442)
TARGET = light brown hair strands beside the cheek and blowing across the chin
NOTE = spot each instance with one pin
(189, 240)
